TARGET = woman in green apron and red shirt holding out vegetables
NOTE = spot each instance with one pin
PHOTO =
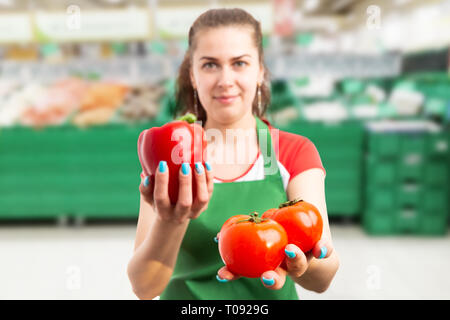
(223, 81)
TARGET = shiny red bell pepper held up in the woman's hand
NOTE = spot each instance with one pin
(176, 142)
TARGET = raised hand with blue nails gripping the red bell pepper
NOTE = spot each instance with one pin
(155, 192)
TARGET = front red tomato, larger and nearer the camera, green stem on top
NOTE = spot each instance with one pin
(249, 245)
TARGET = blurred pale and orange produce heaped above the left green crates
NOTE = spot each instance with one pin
(78, 101)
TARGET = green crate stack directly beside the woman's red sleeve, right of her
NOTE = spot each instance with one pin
(341, 148)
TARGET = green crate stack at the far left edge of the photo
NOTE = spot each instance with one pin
(33, 171)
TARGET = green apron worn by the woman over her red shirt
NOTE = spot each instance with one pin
(194, 275)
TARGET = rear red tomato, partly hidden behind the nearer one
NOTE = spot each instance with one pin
(301, 220)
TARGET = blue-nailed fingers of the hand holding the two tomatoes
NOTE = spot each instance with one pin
(295, 265)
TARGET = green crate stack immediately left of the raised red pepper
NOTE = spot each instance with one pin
(104, 172)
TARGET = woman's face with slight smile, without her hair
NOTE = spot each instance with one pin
(226, 71)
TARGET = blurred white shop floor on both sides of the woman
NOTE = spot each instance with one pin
(90, 263)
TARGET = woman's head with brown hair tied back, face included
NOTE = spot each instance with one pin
(224, 45)
